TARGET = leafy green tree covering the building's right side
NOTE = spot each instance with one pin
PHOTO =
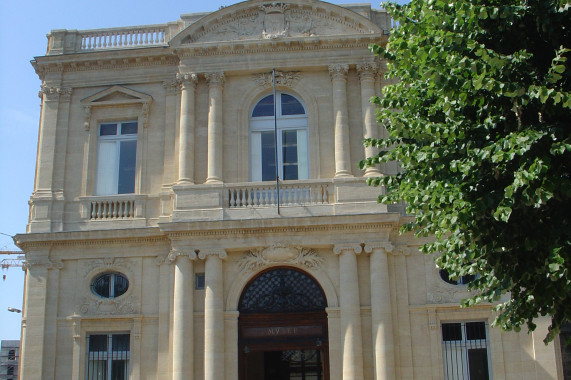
(479, 120)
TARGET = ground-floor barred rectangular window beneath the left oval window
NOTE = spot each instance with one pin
(108, 356)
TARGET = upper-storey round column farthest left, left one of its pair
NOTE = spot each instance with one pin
(186, 139)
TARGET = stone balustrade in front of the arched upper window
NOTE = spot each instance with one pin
(291, 193)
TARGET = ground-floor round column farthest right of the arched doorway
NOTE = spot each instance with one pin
(381, 314)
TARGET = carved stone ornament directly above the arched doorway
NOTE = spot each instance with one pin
(280, 253)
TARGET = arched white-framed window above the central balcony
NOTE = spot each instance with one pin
(292, 152)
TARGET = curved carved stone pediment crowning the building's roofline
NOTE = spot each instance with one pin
(263, 20)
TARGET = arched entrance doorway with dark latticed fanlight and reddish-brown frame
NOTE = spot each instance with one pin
(283, 327)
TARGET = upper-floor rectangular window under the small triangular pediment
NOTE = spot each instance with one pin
(116, 158)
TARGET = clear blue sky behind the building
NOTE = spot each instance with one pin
(23, 28)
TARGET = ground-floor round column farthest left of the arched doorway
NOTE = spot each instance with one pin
(183, 316)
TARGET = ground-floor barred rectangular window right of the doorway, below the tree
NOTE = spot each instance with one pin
(465, 351)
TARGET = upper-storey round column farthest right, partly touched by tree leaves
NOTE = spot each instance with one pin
(367, 74)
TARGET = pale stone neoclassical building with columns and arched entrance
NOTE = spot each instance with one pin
(161, 246)
